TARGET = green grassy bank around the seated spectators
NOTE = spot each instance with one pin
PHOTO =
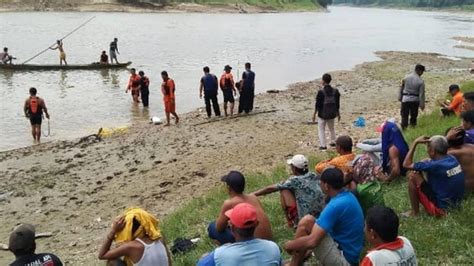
(448, 241)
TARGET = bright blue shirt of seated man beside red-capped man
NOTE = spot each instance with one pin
(344, 221)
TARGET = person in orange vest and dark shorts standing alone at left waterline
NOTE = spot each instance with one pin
(34, 108)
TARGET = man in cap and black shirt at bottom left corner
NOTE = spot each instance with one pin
(22, 244)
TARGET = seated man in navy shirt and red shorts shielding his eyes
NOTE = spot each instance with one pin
(444, 187)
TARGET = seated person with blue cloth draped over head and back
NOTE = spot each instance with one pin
(394, 150)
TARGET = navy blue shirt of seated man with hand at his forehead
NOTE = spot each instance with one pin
(446, 180)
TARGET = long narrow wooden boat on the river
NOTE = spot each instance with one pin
(92, 66)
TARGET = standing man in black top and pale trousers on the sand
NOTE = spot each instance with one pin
(327, 109)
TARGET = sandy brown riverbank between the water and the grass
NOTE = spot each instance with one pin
(74, 189)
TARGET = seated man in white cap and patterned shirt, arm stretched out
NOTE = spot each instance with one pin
(300, 194)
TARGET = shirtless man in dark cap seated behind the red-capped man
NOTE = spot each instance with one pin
(219, 230)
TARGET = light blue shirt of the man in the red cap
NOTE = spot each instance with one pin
(254, 252)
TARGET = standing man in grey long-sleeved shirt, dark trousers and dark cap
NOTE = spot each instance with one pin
(412, 96)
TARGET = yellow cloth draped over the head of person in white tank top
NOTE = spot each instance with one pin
(148, 227)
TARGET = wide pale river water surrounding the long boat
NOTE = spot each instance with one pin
(283, 48)
